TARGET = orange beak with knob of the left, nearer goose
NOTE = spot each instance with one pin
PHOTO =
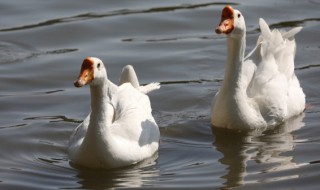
(86, 73)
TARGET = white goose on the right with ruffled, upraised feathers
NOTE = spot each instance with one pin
(262, 89)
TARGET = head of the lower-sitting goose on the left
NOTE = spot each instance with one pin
(92, 72)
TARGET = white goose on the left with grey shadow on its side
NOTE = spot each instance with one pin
(120, 130)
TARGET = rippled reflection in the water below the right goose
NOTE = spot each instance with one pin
(265, 148)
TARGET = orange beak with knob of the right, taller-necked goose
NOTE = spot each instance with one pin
(227, 21)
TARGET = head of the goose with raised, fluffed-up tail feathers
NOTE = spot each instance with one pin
(232, 23)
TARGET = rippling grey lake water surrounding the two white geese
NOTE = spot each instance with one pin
(42, 44)
